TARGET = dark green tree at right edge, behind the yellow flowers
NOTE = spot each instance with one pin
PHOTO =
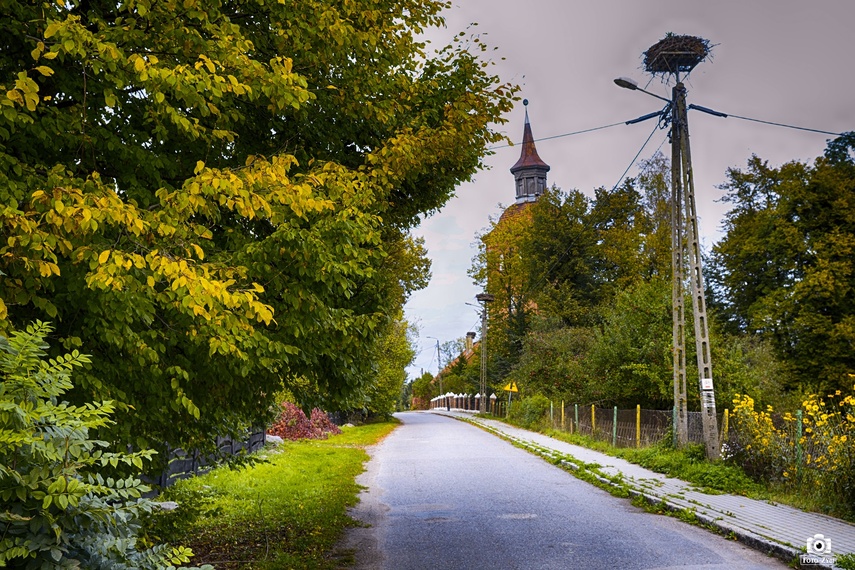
(784, 267)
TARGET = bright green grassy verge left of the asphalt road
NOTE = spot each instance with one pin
(287, 512)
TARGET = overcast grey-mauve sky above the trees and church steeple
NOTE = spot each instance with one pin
(786, 61)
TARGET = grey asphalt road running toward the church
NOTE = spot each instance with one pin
(442, 494)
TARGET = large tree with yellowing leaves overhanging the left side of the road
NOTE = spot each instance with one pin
(215, 195)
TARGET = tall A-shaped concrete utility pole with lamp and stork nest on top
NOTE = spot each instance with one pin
(671, 56)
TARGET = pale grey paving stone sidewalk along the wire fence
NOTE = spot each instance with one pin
(772, 528)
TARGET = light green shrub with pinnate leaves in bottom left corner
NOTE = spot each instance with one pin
(56, 509)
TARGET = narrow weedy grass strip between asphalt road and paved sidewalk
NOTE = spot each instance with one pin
(618, 487)
